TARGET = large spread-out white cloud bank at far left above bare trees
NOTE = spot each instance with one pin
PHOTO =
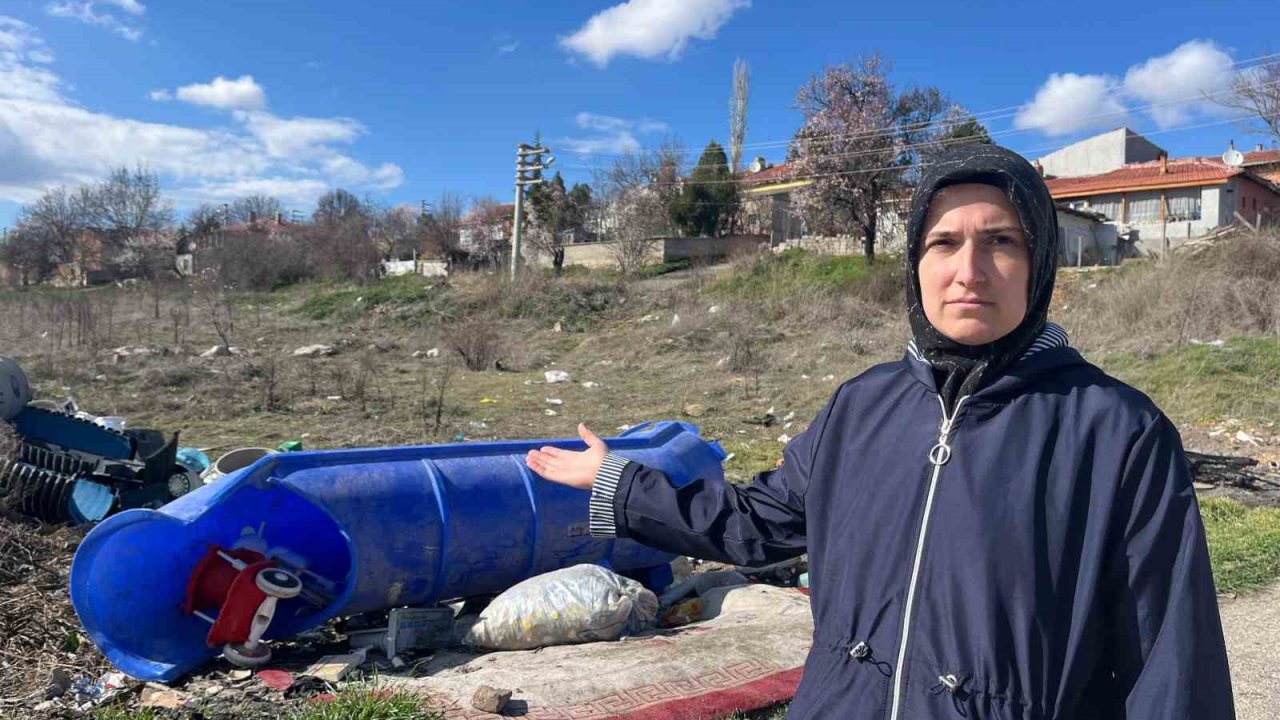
(47, 139)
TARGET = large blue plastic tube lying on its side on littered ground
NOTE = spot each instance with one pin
(383, 527)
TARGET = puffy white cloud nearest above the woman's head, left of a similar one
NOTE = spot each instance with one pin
(1069, 103)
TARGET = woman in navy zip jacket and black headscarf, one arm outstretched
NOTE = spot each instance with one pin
(996, 530)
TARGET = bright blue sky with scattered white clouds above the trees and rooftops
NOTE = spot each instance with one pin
(401, 102)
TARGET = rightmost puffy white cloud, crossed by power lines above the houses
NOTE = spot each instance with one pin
(1177, 84)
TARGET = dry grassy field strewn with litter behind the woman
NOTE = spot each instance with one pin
(747, 353)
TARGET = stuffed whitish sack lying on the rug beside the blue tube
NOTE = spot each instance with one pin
(573, 605)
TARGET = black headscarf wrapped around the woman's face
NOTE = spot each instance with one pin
(962, 370)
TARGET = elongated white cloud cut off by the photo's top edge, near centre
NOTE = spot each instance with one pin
(650, 29)
